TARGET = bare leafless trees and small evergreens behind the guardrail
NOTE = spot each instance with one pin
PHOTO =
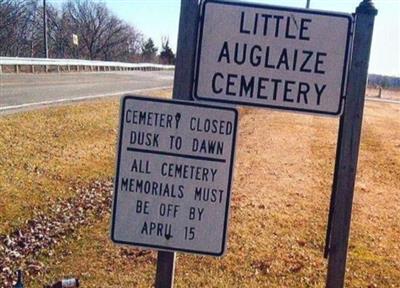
(82, 29)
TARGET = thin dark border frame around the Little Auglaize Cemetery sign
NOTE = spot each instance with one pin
(278, 8)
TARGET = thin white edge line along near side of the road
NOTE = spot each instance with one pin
(49, 102)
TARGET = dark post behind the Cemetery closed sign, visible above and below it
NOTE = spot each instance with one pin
(183, 85)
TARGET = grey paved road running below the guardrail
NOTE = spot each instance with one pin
(31, 90)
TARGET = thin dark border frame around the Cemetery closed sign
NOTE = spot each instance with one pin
(230, 162)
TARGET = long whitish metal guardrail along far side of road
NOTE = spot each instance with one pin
(92, 65)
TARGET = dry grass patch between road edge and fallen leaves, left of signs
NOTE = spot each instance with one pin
(45, 152)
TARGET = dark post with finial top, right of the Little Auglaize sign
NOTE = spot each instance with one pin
(348, 145)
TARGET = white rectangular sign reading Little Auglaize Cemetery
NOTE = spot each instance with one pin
(268, 56)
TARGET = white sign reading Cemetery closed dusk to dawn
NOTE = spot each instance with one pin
(174, 175)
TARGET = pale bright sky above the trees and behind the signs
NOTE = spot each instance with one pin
(157, 18)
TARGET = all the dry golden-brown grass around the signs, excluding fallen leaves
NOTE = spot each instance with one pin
(279, 208)
